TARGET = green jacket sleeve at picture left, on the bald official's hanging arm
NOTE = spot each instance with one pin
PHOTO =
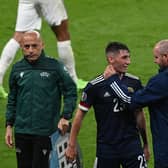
(11, 104)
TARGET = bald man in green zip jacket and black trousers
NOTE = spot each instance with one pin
(37, 85)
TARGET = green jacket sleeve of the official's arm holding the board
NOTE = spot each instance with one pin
(69, 92)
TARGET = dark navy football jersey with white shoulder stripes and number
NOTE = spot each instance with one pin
(116, 127)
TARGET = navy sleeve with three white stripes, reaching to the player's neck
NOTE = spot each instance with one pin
(156, 89)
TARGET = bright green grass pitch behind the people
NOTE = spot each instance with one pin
(93, 23)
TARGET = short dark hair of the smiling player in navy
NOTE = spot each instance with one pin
(115, 47)
